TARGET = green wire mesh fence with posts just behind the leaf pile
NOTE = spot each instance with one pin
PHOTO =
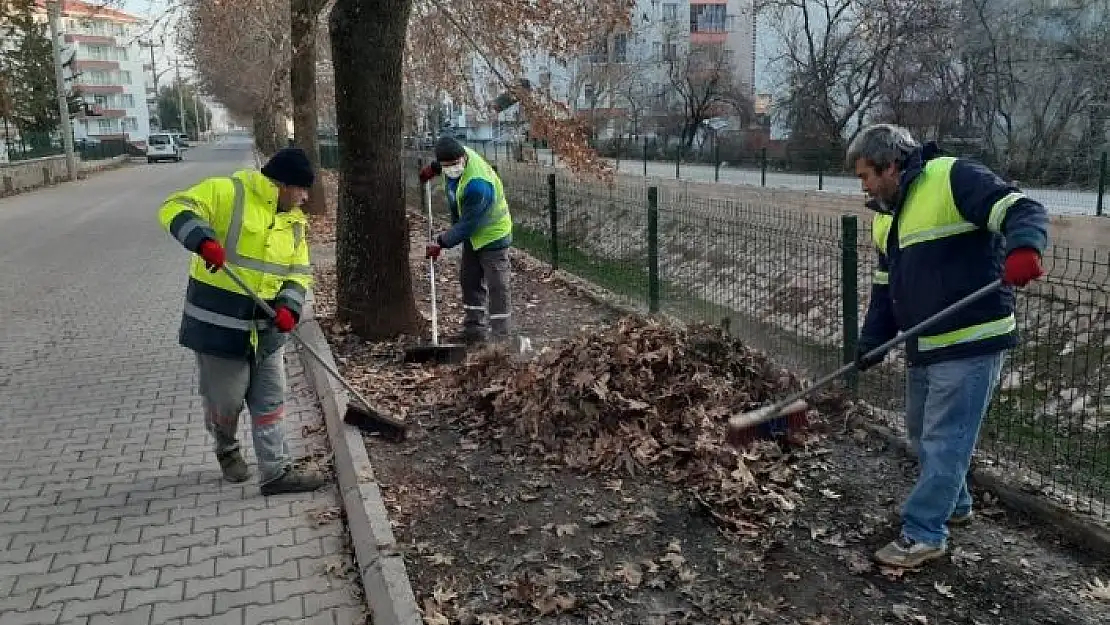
(799, 287)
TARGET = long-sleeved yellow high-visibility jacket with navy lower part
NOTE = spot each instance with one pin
(266, 248)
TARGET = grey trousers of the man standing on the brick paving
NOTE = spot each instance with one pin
(226, 386)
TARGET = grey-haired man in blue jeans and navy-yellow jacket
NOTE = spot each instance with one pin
(945, 228)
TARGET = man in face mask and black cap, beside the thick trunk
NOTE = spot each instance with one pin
(483, 225)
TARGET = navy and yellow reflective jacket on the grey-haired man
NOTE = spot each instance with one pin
(947, 239)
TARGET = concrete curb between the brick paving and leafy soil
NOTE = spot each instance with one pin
(381, 567)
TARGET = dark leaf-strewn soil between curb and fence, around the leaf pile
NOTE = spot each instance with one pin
(499, 530)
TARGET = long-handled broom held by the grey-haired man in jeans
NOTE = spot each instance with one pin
(744, 428)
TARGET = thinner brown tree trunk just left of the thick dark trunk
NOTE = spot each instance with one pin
(302, 80)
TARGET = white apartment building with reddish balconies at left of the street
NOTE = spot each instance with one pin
(108, 67)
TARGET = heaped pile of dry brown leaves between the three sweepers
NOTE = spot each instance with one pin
(647, 397)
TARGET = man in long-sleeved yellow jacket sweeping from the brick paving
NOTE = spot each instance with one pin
(251, 221)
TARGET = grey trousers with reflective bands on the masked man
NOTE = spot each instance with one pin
(485, 276)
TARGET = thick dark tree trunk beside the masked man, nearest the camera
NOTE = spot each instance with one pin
(375, 291)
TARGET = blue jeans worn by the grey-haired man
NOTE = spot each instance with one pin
(946, 405)
